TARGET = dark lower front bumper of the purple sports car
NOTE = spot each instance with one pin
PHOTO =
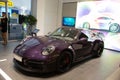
(35, 67)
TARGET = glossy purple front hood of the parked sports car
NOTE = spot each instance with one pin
(33, 47)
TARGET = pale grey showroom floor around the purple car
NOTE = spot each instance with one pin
(90, 69)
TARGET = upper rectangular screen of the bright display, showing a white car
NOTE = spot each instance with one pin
(99, 15)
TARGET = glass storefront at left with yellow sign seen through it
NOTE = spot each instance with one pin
(16, 10)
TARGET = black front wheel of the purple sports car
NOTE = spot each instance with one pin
(64, 62)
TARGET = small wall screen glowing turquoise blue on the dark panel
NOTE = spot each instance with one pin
(68, 21)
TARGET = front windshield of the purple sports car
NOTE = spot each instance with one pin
(65, 33)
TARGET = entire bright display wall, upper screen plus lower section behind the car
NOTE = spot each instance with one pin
(103, 16)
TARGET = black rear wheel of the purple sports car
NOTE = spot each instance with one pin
(98, 49)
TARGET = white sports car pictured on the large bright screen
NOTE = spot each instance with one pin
(101, 21)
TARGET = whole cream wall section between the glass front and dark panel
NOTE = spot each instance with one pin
(47, 15)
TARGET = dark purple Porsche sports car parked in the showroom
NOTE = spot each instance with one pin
(57, 51)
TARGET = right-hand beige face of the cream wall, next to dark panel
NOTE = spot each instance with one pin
(51, 13)
